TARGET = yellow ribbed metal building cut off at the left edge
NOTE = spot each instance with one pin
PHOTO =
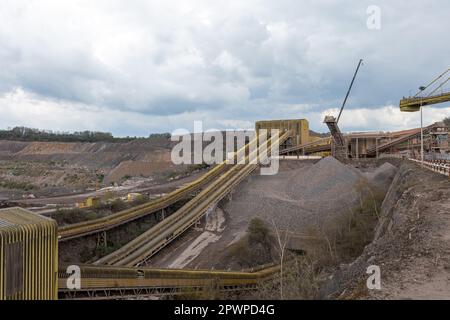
(28, 256)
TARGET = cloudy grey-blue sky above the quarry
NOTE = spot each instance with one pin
(136, 67)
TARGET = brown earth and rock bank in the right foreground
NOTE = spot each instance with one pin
(410, 245)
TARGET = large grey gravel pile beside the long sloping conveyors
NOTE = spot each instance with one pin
(297, 198)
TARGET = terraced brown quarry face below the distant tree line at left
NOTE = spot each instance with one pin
(58, 168)
